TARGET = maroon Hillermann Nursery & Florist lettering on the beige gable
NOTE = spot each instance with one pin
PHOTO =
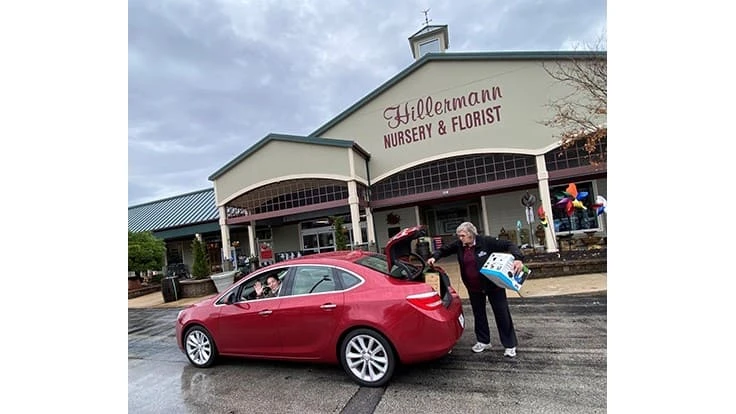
(423, 118)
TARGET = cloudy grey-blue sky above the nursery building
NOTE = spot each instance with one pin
(209, 78)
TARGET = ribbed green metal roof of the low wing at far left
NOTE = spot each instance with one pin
(183, 210)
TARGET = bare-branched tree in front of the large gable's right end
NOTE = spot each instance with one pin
(581, 114)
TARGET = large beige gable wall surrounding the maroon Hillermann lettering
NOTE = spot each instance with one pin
(525, 89)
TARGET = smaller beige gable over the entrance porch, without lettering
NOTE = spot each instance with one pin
(280, 160)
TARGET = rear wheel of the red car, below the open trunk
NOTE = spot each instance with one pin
(367, 358)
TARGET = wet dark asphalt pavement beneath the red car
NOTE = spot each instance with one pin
(561, 367)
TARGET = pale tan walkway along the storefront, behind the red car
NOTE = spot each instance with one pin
(549, 286)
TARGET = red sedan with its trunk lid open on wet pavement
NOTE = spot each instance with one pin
(366, 311)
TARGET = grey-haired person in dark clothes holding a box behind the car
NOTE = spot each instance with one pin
(472, 251)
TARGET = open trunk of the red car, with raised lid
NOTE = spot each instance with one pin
(411, 265)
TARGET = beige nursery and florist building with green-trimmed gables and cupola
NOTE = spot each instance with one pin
(453, 137)
